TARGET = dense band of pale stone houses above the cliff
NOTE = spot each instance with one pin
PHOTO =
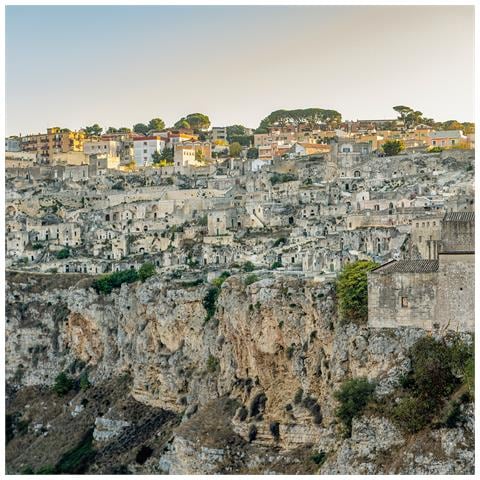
(307, 212)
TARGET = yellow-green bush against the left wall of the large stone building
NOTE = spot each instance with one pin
(352, 290)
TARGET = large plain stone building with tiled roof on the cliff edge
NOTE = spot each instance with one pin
(429, 294)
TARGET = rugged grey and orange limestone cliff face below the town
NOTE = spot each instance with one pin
(269, 360)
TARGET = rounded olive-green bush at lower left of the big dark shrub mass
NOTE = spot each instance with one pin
(412, 414)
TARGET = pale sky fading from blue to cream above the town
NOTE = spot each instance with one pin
(116, 66)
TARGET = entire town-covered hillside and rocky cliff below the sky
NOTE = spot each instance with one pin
(176, 297)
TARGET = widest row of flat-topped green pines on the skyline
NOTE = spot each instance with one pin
(311, 117)
